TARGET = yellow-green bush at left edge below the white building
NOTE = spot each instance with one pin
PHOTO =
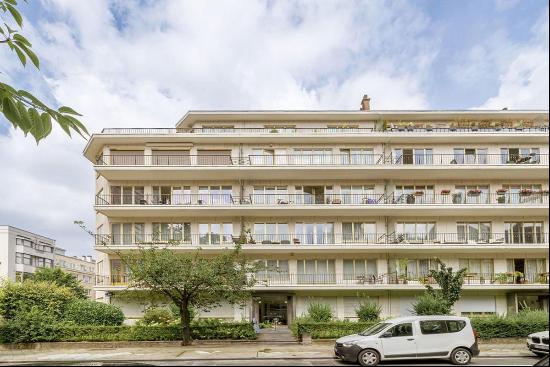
(22, 297)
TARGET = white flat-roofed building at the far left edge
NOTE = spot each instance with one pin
(22, 252)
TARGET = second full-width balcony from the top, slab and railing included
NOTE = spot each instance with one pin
(418, 203)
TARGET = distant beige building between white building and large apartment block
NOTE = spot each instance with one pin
(83, 268)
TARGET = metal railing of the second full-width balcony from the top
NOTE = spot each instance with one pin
(335, 200)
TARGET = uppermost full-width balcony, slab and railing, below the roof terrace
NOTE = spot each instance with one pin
(321, 166)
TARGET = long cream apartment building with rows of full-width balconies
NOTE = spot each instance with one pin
(337, 204)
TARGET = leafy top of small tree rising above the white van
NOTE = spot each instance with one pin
(450, 283)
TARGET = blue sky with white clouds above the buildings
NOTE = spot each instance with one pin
(146, 63)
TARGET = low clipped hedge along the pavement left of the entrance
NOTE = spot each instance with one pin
(72, 333)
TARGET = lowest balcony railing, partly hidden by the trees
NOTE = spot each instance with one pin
(354, 279)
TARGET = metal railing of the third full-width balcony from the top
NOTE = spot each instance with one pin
(339, 239)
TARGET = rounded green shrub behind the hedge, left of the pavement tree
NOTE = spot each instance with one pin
(86, 312)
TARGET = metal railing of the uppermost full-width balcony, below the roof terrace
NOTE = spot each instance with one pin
(285, 160)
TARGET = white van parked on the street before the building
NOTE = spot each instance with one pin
(414, 337)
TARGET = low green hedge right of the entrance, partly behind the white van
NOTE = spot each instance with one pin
(328, 330)
